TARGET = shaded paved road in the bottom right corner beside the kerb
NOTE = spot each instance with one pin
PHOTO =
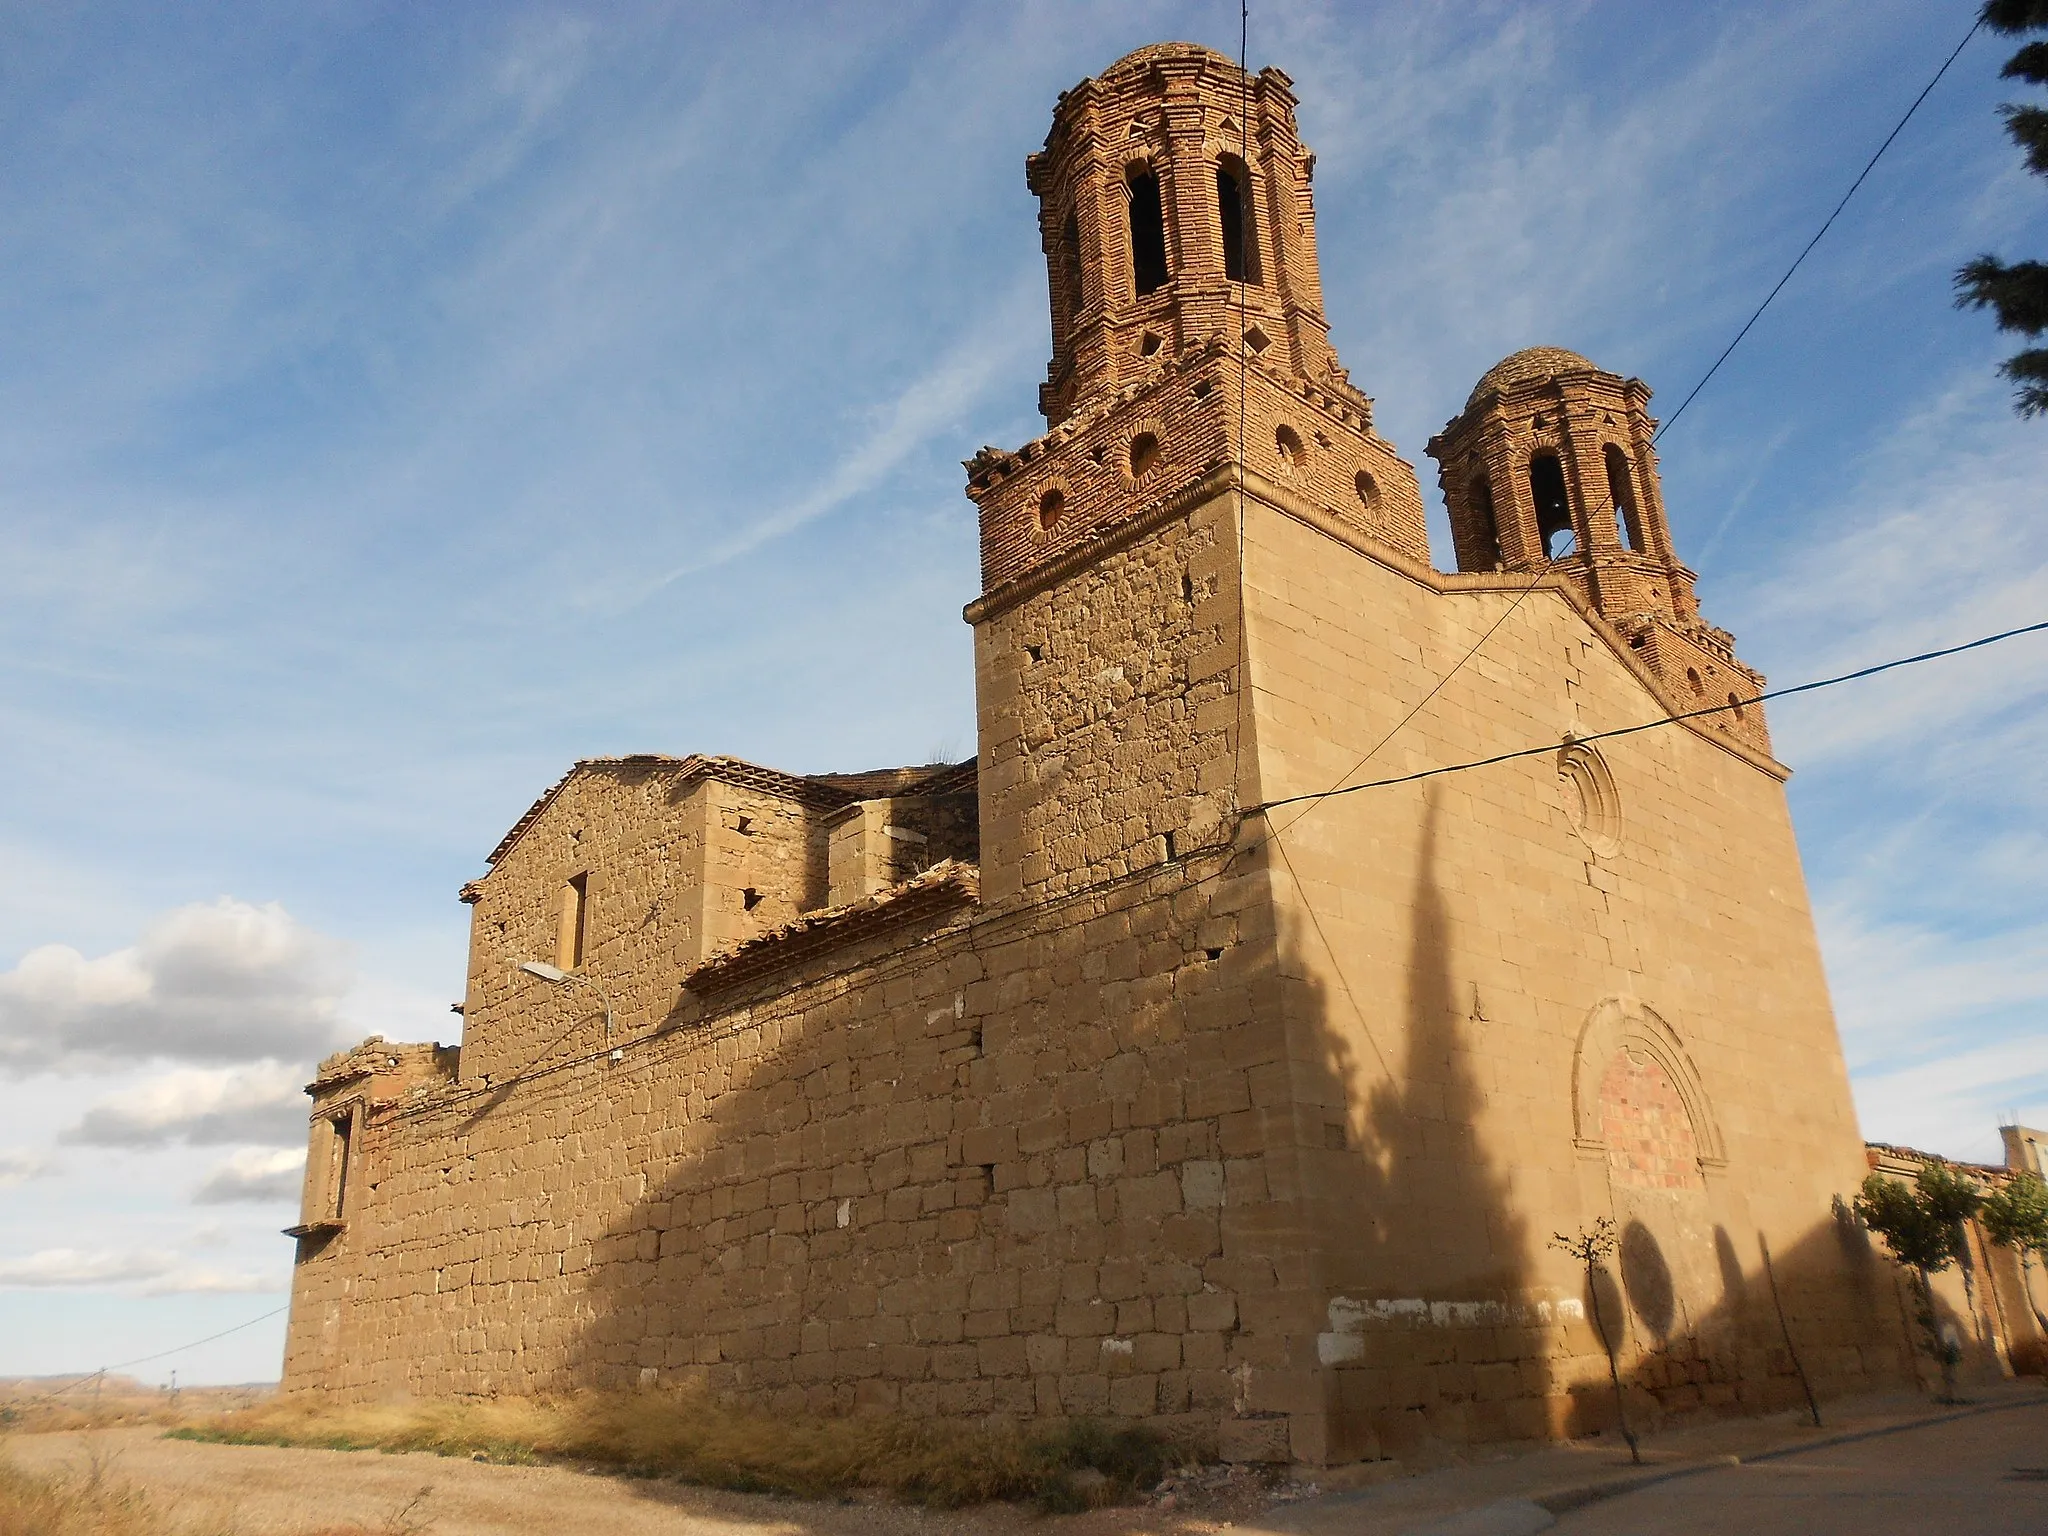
(1986, 1476)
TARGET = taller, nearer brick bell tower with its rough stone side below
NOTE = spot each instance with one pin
(1189, 351)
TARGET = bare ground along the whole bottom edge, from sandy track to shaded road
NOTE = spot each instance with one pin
(214, 1490)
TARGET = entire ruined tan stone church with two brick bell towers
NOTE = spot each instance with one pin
(1197, 1052)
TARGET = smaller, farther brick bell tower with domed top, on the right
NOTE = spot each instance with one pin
(1551, 468)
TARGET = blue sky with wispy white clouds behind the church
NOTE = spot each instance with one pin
(400, 402)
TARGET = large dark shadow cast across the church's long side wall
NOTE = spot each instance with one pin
(1007, 1172)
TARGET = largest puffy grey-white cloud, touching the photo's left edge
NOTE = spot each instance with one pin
(210, 982)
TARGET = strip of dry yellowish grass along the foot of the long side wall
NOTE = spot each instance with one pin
(699, 1441)
